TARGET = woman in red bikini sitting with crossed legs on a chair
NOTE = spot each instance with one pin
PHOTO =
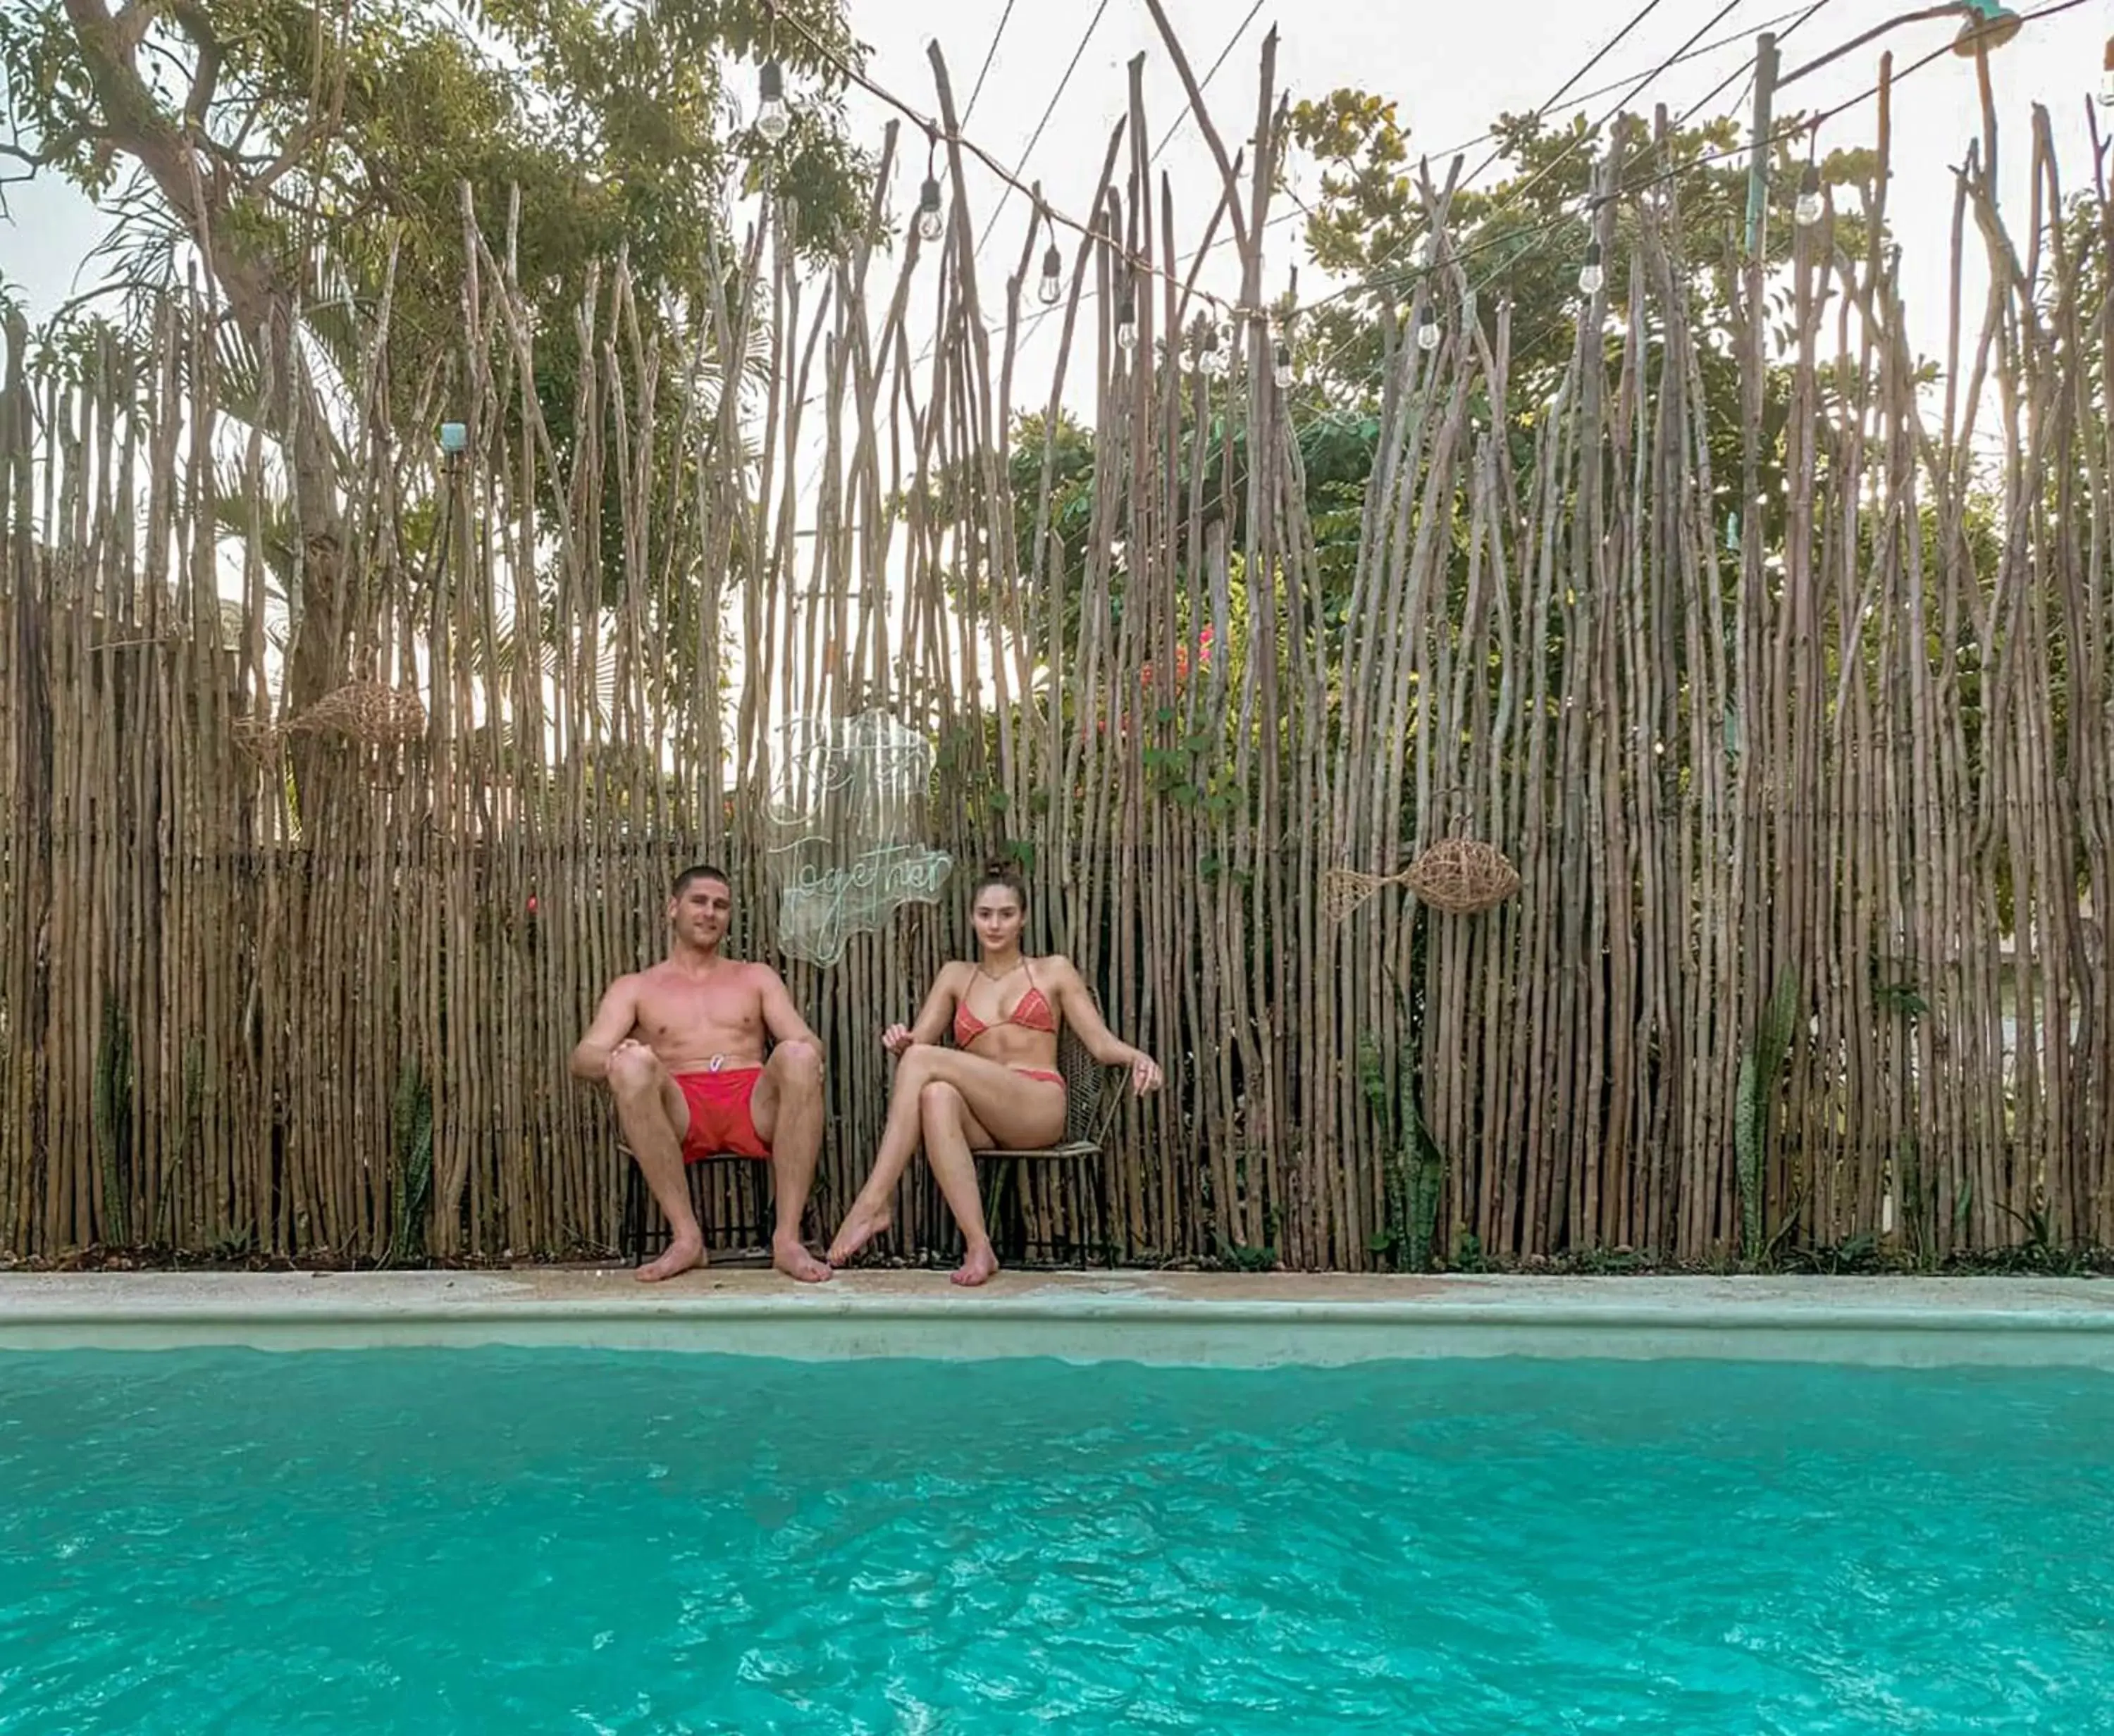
(997, 1088)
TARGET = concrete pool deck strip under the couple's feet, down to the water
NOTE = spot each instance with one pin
(1162, 1318)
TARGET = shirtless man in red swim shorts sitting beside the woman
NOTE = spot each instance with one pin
(682, 1052)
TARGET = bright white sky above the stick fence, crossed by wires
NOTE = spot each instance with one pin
(1449, 69)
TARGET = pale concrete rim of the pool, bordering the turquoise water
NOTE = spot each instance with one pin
(1176, 1331)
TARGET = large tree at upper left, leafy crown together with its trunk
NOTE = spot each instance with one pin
(316, 158)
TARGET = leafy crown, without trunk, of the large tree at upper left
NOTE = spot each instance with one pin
(358, 128)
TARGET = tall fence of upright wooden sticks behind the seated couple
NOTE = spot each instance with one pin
(1800, 847)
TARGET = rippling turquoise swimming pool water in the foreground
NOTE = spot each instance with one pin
(601, 1543)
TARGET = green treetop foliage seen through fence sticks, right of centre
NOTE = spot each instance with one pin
(1527, 238)
